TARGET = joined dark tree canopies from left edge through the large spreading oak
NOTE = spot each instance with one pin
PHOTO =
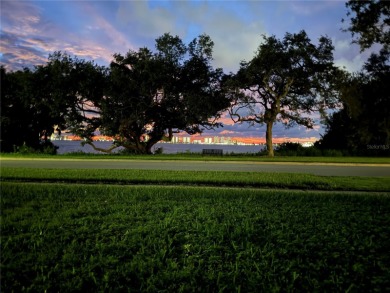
(142, 98)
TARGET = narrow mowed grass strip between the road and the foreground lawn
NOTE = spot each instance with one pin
(211, 178)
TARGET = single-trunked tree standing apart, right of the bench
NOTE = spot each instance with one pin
(284, 81)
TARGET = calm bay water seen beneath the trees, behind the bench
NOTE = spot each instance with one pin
(66, 146)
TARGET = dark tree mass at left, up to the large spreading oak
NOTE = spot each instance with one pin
(60, 93)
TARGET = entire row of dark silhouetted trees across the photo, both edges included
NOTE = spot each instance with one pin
(146, 96)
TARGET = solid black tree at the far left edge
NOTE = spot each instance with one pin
(26, 117)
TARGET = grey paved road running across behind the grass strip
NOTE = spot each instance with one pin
(313, 168)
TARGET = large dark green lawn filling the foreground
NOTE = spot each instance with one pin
(61, 237)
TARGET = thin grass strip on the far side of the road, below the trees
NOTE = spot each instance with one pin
(199, 157)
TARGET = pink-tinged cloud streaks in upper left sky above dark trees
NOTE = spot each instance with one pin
(27, 37)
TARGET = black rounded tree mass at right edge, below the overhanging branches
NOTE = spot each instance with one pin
(362, 127)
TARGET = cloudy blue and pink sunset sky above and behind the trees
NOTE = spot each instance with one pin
(96, 29)
